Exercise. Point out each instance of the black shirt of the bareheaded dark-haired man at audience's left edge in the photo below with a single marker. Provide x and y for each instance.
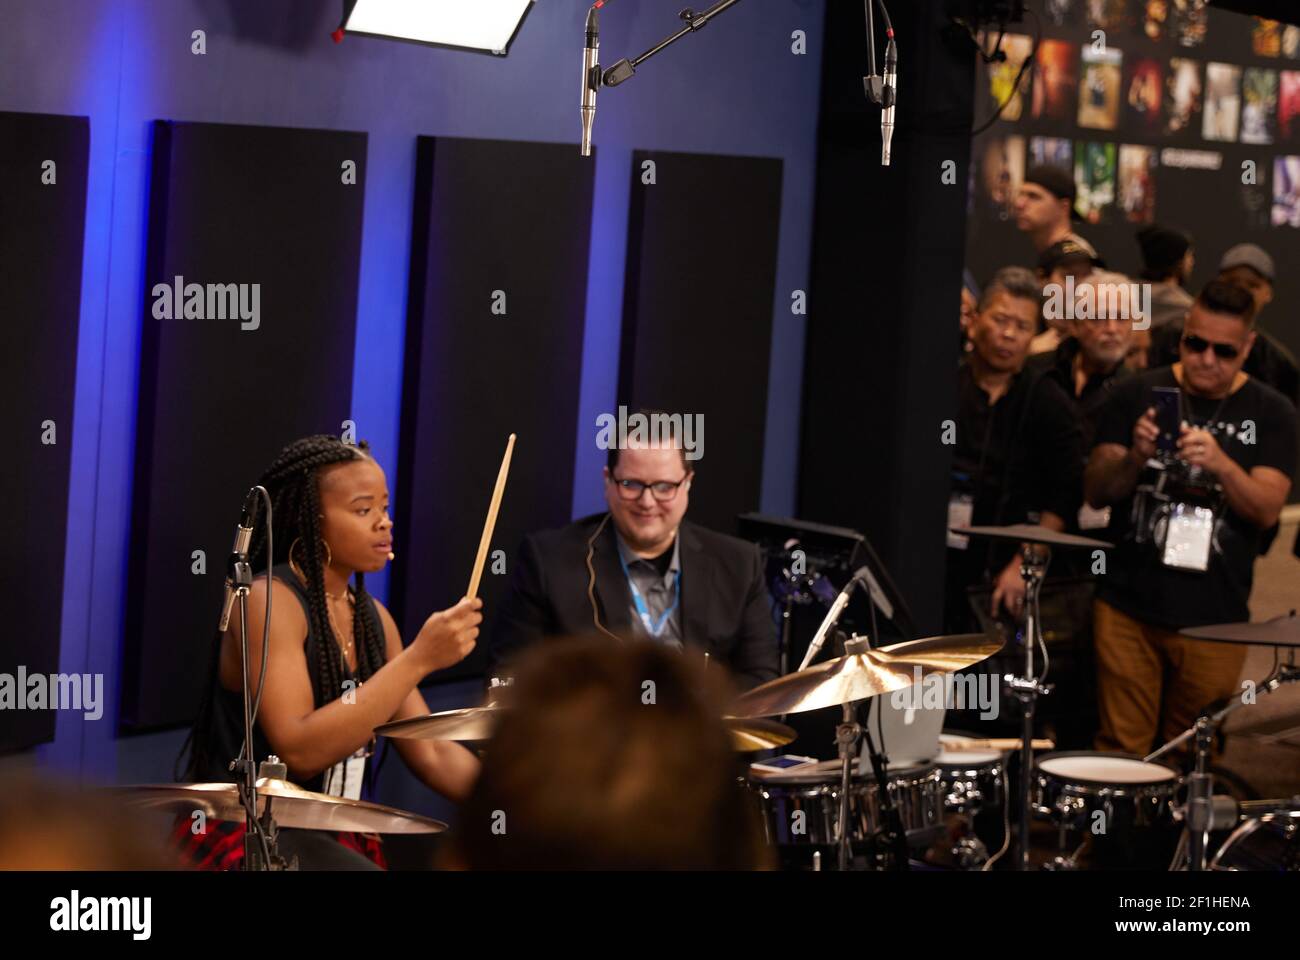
(1017, 457)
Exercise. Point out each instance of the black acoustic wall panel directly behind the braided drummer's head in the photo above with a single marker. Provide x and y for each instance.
(231, 205)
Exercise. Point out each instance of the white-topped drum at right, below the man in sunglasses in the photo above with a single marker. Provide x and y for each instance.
(1129, 792)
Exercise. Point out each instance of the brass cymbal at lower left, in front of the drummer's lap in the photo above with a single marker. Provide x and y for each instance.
(291, 806)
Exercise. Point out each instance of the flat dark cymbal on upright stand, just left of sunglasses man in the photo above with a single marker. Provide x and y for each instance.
(1035, 556)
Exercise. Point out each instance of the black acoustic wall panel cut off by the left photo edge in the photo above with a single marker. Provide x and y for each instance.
(44, 172)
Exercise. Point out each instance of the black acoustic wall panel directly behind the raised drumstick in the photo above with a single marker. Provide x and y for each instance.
(489, 217)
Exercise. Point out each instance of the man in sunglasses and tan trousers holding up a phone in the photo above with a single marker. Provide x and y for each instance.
(1186, 522)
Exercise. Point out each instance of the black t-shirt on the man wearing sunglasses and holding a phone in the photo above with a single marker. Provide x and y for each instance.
(1136, 581)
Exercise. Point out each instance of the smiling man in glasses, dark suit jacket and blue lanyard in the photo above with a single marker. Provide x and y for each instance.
(640, 572)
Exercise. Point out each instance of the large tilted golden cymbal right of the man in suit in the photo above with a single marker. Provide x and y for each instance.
(865, 673)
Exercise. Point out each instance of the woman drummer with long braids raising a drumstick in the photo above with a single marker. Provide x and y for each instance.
(336, 665)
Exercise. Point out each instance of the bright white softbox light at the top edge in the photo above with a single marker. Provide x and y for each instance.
(480, 25)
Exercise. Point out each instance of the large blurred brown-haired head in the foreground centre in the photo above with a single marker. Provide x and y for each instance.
(613, 758)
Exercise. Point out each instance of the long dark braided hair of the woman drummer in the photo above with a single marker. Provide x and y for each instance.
(293, 482)
